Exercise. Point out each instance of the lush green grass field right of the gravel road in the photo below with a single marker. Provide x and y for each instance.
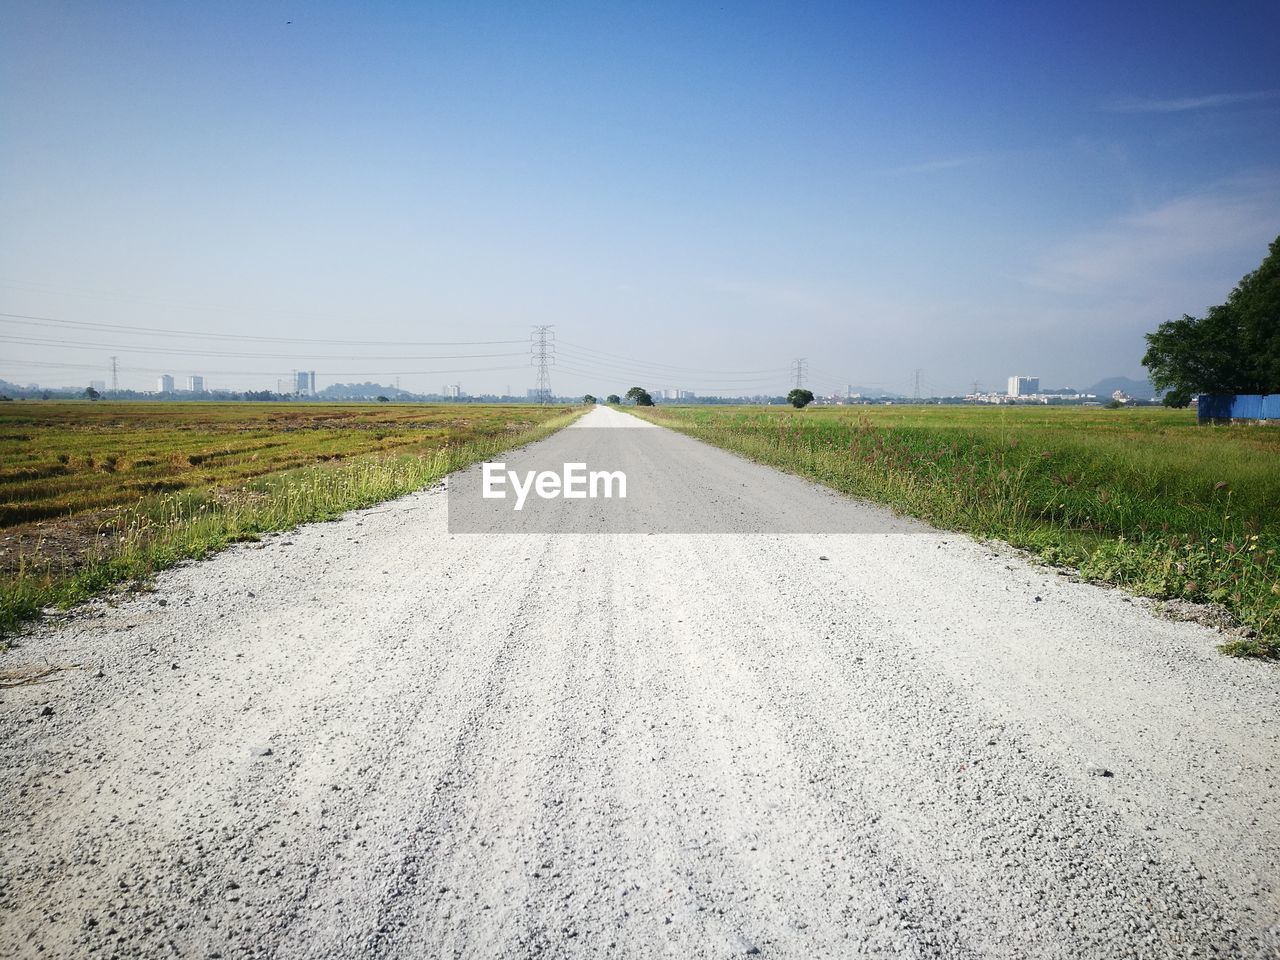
(1142, 499)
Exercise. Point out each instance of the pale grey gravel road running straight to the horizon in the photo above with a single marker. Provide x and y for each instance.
(730, 714)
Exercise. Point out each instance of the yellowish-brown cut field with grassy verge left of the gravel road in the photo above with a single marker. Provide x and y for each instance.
(97, 495)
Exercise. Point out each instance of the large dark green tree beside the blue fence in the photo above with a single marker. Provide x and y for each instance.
(1233, 349)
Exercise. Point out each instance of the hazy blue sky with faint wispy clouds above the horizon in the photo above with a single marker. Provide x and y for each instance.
(691, 194)
